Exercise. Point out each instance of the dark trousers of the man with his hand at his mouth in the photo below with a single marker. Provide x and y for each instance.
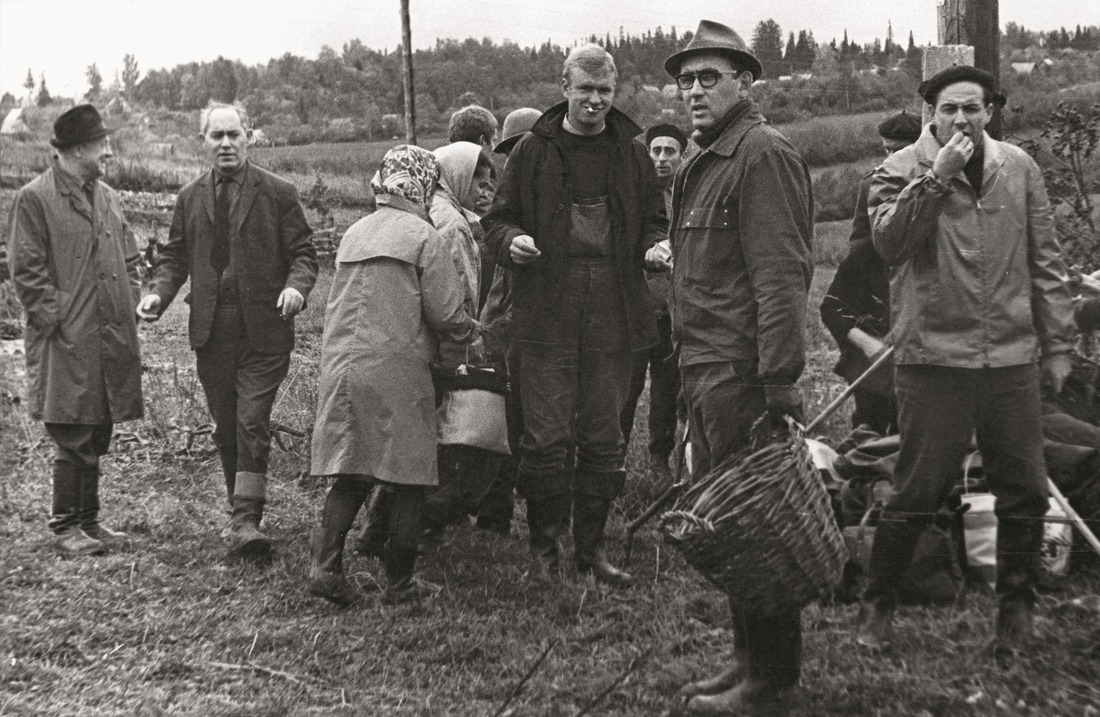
(940, 410)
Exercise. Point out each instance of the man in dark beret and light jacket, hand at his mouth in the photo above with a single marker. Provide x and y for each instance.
(983, 317)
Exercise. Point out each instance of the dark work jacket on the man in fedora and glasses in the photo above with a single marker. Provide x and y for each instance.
(743, 252)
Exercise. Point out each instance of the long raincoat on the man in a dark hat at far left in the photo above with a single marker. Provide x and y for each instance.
(78, 272)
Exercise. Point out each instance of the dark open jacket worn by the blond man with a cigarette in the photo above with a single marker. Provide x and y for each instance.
(535, 200)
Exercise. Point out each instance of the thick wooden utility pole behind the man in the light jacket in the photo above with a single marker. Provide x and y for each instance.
(975, 24)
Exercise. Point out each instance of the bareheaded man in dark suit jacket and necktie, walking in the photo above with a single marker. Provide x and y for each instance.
(241, 235)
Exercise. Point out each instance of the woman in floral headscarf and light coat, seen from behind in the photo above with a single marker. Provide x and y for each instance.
(394, 294)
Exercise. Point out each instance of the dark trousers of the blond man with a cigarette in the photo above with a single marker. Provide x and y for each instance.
(574, 385)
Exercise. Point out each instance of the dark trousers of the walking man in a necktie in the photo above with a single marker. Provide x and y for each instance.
(240, 385)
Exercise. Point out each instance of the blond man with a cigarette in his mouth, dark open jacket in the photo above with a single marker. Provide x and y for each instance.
(577, 209)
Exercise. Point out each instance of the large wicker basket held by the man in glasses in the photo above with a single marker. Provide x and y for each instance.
(761, 526)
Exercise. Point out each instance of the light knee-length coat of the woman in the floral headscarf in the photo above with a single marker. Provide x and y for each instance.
(394, 294)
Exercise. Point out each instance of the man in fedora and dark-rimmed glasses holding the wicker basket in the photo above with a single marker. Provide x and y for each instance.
(741, 231)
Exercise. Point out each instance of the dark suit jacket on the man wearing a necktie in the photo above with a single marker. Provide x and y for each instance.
(271, 249)
